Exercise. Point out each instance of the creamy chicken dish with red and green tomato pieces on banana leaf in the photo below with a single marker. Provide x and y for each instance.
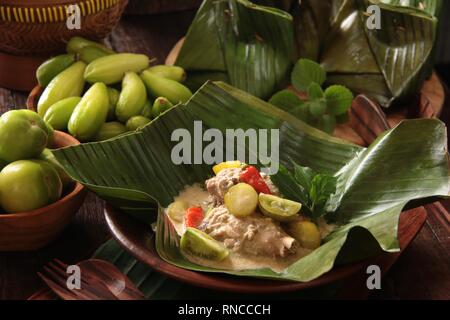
(237, 220)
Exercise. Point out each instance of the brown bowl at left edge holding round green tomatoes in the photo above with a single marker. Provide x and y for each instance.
(33, 230)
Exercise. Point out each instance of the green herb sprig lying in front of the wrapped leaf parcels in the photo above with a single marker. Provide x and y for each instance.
(320, 108)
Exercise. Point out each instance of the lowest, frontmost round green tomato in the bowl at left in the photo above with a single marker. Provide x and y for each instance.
(28, 185)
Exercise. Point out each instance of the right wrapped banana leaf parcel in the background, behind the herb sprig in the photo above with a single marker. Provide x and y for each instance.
(389, 64)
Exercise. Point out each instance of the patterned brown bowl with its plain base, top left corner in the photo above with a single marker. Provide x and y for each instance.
(33, 30)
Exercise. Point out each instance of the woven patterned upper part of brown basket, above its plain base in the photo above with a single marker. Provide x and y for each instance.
(38, 27)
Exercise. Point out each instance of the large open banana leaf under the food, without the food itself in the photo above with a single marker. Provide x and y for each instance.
(407, 163)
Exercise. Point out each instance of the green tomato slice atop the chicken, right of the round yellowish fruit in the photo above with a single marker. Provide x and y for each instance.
(278, 208)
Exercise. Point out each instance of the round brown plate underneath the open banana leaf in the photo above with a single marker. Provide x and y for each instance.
(138, 239)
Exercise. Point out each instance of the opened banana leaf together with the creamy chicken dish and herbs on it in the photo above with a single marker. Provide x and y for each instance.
(330, 202)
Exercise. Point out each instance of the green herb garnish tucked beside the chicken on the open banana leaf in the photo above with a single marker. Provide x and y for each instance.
(311, 189)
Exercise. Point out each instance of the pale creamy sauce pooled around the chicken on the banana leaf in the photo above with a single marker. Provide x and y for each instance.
(195, 195)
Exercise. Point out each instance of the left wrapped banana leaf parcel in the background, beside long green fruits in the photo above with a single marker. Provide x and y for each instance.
(248, 46)
